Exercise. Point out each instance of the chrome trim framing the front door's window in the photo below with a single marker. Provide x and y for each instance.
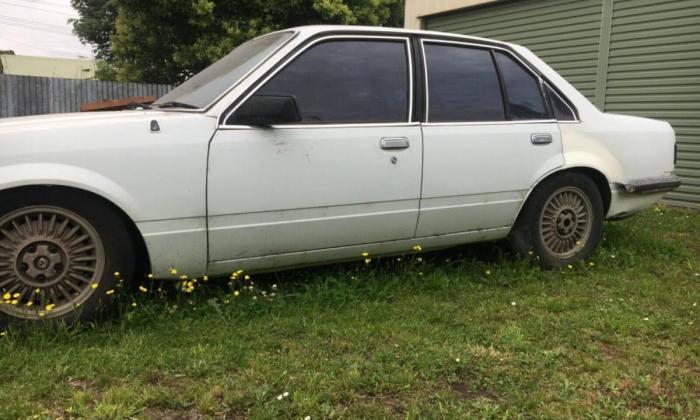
(260, 82)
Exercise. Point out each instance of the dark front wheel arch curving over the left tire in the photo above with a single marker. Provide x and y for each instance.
(143, 263)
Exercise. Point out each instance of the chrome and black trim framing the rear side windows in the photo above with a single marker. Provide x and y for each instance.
(491, 48)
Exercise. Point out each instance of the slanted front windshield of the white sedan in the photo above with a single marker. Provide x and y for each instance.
(204, 87)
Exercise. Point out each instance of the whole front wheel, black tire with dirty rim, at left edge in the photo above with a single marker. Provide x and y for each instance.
(66, 275)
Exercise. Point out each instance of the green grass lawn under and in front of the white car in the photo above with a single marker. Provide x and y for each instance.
(471, 331)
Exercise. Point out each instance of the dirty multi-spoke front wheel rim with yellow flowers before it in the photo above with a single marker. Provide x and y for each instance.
(51, 261)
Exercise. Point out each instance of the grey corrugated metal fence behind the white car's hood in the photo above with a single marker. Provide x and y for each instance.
(27, 95)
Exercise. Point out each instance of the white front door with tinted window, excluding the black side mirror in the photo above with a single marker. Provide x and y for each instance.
(348, 173)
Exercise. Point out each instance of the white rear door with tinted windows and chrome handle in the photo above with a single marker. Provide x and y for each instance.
(488, 136)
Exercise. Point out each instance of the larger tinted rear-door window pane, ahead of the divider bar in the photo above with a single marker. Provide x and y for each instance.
(462, 85)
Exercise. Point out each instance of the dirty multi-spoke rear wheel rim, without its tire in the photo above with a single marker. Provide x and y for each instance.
(565, 222)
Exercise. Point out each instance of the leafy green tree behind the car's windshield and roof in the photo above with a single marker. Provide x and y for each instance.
(167, 41)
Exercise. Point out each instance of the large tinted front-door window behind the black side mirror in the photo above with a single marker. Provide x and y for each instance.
(346, 81)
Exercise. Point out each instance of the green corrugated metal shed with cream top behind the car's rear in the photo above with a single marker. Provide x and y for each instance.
(638, 57)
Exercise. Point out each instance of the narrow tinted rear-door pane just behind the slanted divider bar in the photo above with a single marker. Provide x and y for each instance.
(523, 90)
